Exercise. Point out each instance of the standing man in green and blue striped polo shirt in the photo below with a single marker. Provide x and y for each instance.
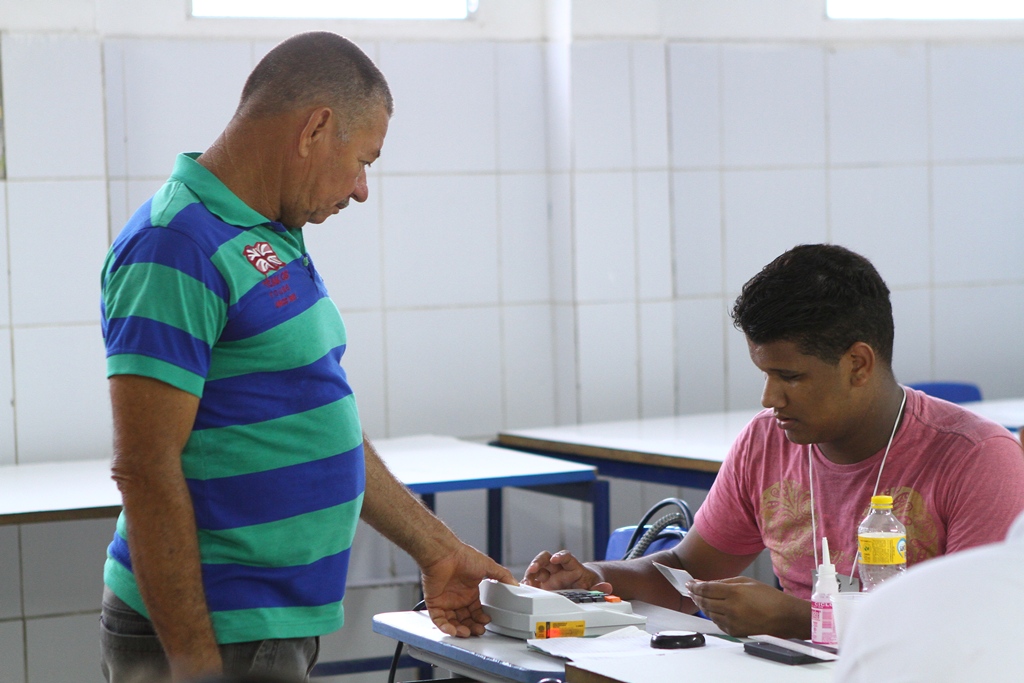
(238, 447)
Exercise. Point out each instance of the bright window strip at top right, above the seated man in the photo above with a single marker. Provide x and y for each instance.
(925, 10)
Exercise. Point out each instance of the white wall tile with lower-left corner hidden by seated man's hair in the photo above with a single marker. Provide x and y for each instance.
(882, 214)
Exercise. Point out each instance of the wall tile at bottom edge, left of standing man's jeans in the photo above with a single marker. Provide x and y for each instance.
(64, 650)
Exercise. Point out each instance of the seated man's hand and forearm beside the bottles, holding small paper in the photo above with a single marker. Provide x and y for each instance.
(742, 607)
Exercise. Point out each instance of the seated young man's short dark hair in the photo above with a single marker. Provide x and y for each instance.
(822, 297)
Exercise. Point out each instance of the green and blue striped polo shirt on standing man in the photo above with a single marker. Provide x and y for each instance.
(205, 294)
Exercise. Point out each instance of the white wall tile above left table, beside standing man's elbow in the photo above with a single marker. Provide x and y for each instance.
(64, 410)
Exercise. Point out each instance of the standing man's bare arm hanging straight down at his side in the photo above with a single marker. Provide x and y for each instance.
(152, 424)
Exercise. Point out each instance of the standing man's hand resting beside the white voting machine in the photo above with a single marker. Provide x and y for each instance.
(452, 590)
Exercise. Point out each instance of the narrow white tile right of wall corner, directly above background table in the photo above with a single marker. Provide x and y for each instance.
(609, 363)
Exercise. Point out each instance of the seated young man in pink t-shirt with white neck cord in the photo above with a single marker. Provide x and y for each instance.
(837, 429)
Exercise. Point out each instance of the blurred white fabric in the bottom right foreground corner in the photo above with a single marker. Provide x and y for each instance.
(959, 618)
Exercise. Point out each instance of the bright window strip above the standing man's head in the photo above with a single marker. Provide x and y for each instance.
(342, 10)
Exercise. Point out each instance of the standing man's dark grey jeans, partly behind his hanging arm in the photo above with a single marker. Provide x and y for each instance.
(132, 653)
